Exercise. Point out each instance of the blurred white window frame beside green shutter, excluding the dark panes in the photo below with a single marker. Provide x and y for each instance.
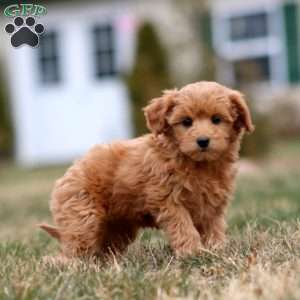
(229, 51)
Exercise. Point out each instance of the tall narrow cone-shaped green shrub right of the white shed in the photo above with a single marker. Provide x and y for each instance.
(150, 74)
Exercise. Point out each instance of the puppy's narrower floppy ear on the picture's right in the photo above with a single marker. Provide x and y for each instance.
(243, 116)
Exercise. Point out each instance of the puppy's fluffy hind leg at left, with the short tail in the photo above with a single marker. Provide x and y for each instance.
(80, 221)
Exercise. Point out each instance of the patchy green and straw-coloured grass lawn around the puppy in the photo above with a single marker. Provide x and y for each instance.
(261, 259)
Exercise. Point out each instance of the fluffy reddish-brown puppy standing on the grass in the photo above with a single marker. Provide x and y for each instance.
(179, 178)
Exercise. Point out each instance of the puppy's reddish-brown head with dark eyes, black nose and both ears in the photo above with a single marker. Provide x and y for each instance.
(202, 118)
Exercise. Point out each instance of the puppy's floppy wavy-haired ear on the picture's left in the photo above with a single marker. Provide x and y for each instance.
(157, 111)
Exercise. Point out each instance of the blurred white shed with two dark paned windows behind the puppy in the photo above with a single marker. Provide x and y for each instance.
(67, 94)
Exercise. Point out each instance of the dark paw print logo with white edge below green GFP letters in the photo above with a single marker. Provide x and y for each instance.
(24, 33)
